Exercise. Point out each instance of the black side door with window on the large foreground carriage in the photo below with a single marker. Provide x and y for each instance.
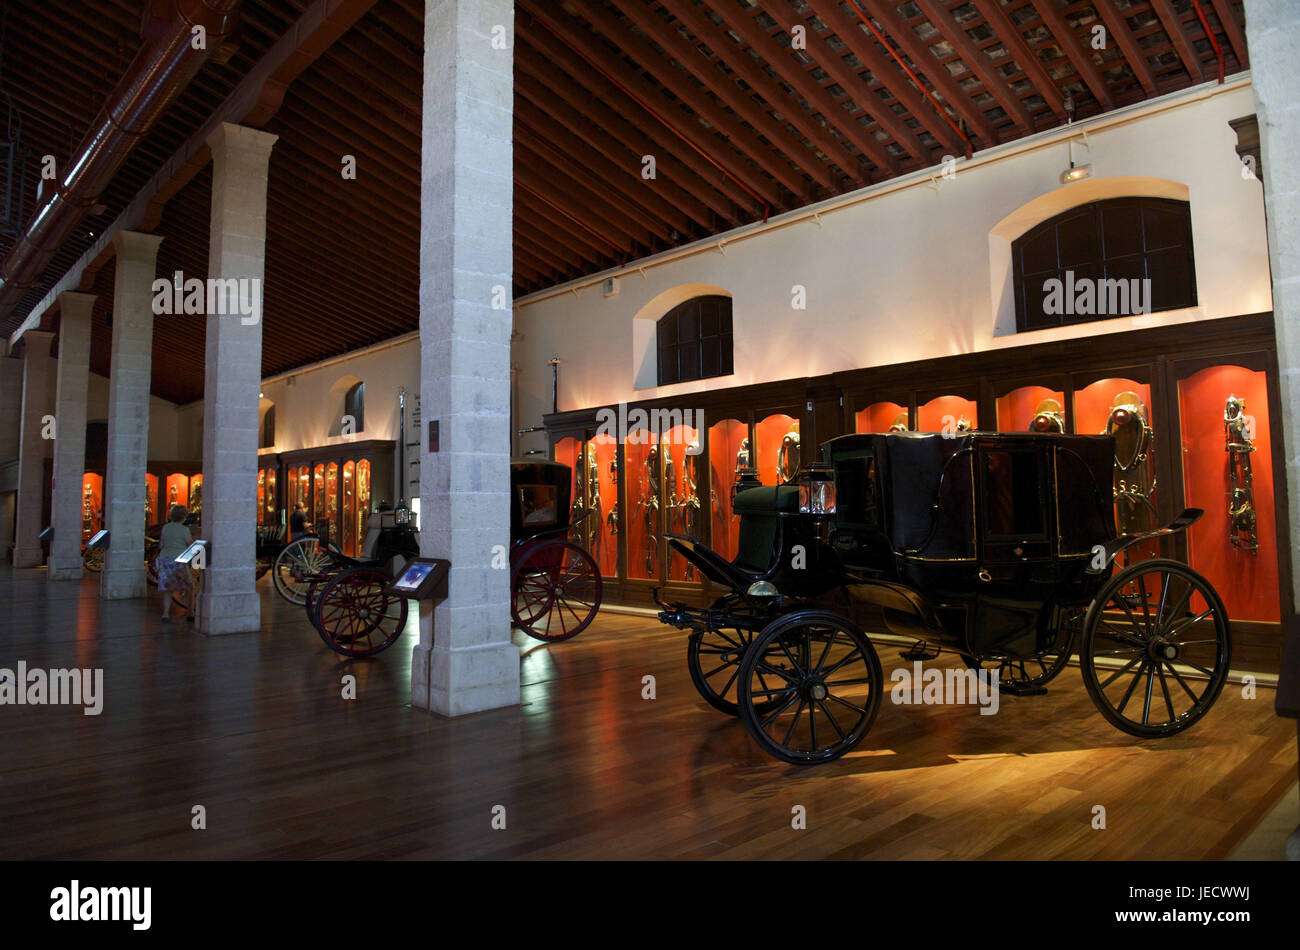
(1016, 515)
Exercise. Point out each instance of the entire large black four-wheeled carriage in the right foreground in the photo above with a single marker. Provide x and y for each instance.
(999, 548)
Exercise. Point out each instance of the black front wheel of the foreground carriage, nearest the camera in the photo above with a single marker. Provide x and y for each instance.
(811, 687)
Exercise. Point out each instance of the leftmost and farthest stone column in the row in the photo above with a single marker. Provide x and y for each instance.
(38, 374)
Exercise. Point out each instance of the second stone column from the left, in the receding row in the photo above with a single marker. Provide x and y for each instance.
(66, 505)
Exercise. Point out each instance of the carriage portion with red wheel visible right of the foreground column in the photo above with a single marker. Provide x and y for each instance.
(554, 584)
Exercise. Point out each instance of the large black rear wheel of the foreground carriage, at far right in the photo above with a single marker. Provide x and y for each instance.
(1159, 628)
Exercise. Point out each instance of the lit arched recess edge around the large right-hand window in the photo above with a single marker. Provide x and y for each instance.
(1032, 214)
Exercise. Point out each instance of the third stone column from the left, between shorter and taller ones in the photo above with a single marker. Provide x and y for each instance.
(129, 379)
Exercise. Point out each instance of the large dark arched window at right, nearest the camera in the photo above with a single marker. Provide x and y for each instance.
(1106, 259)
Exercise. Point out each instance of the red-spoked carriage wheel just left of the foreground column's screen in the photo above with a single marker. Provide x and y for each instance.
(354, 615)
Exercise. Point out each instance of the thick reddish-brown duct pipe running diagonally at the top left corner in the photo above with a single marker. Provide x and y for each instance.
(161, 71)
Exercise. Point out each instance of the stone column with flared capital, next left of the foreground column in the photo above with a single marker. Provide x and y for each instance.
(237, 253)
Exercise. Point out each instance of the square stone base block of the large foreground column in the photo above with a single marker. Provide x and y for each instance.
(456, 683)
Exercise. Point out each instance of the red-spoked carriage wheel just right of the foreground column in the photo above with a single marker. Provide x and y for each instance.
(556, 591)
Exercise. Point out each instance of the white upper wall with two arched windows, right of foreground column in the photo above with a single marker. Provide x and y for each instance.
(913, 272)
